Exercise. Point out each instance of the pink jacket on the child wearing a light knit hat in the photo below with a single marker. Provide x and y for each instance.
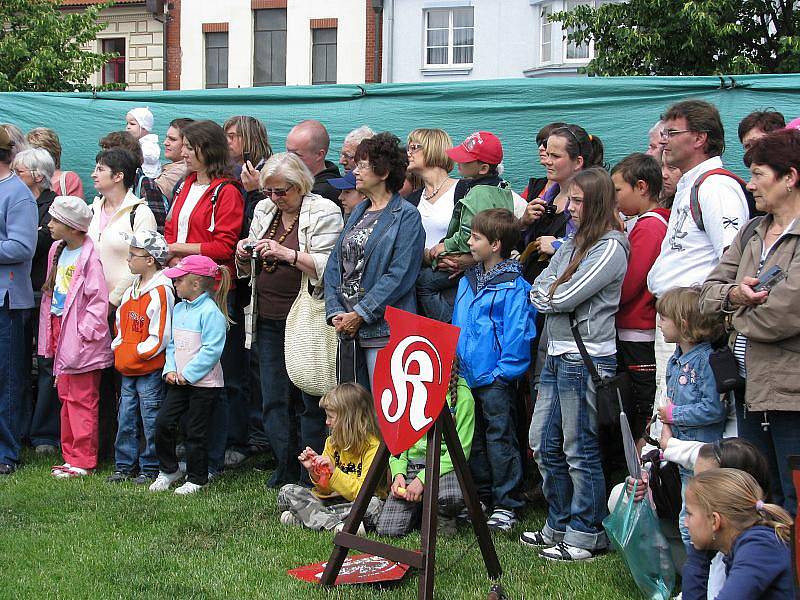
(85, 342)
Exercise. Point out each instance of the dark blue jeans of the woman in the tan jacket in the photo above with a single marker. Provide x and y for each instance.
(776, 443)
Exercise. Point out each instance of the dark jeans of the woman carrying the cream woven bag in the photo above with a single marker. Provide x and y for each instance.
(280, 411)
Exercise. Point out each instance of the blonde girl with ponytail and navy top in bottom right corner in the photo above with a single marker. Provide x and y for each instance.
(726, 512)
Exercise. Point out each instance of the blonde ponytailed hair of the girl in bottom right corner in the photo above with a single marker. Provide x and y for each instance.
(736, 495)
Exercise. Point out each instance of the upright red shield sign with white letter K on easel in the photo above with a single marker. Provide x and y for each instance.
(411, 377)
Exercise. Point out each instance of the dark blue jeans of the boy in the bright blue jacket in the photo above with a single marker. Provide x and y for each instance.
(495, 461)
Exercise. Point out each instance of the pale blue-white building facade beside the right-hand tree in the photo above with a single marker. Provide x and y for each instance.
(445, 40)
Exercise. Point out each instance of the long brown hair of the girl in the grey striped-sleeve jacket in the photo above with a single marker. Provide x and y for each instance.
(598, 217)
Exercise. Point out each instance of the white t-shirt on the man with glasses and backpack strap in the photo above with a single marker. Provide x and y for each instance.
(688, 254)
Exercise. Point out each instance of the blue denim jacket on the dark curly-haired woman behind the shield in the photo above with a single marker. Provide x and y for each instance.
(393, 255)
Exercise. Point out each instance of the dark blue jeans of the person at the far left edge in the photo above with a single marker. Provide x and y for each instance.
(13, 380)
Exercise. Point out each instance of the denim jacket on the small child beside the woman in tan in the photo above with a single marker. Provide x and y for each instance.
(698, 411)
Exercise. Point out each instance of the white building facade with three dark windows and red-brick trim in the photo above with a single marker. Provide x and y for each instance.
(246, 43)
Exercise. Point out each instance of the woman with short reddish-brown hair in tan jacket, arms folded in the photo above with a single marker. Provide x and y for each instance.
(765, 324)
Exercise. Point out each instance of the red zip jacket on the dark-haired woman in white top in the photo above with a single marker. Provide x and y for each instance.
(218, 244)
